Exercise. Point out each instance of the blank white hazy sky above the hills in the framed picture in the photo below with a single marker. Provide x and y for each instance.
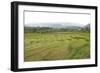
(43, 17)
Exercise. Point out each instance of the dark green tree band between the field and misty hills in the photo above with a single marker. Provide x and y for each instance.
(86, 28)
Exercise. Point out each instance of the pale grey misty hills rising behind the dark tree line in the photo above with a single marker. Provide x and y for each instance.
(55, 25)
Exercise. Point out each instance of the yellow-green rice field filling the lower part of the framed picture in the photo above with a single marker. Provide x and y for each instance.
(56, 46)
